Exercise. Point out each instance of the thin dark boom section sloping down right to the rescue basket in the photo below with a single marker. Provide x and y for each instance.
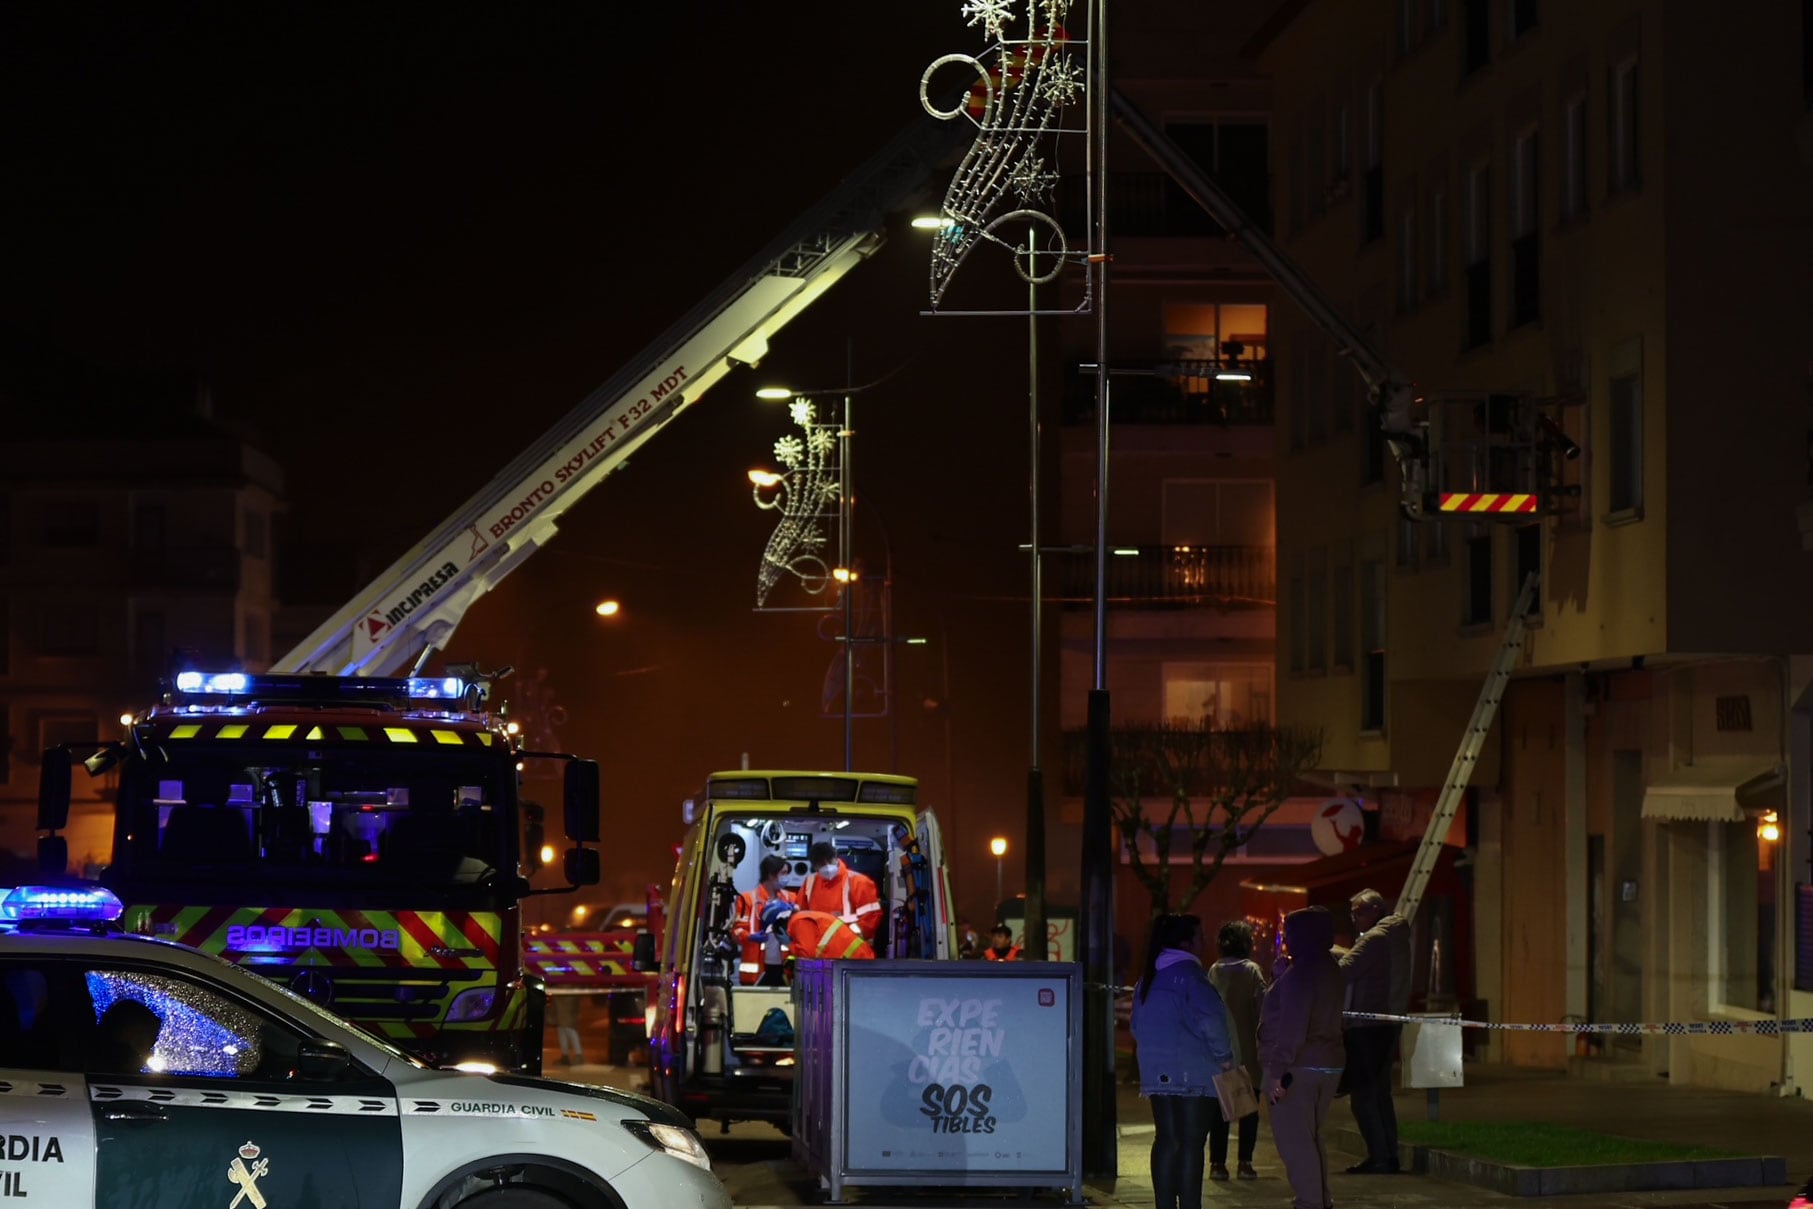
(1391, 394)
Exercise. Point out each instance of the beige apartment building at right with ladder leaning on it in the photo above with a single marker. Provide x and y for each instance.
(1605, 208)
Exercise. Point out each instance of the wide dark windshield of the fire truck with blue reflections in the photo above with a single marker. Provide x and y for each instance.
(282, 815)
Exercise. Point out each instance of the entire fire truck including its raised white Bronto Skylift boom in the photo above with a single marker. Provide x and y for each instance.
(354, 827)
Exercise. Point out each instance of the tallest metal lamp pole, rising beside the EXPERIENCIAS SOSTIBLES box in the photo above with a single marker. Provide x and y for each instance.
(1100, 1132)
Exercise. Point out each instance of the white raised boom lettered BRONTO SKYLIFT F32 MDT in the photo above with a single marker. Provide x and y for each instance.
(411, 612)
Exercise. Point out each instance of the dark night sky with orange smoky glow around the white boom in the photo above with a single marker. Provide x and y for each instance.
(398, 242)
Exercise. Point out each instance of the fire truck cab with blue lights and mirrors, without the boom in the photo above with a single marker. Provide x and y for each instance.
(358, 840)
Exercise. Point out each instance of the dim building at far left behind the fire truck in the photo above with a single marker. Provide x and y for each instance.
(115, 556)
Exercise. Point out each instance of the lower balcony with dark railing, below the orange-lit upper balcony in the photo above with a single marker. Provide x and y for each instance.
(1174, 575)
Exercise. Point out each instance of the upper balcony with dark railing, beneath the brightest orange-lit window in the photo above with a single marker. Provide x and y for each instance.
(1179, 392)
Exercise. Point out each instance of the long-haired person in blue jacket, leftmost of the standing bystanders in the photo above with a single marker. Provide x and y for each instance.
(1181, 1030)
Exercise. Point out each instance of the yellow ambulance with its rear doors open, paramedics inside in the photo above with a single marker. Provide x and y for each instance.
(724, 1049)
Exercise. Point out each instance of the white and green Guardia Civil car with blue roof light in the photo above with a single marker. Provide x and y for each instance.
(139, 1072)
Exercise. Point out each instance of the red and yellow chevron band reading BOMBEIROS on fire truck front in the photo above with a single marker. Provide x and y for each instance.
(313, 936)
